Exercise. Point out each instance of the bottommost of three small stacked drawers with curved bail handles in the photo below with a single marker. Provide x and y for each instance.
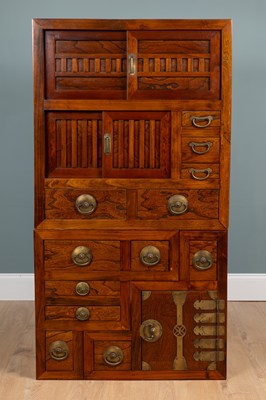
(200, 172)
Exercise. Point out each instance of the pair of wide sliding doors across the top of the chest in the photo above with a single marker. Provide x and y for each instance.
(138, 65)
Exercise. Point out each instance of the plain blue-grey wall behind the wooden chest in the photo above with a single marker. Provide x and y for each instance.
(247, 239)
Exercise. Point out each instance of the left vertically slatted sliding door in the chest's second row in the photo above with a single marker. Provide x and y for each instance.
(74, 146)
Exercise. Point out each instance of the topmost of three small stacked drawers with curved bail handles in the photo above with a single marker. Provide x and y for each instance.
(201, 119)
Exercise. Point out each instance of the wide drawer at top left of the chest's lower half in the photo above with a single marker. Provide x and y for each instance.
(81, 255)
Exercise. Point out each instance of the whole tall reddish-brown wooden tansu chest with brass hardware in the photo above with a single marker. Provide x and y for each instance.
(132, 142)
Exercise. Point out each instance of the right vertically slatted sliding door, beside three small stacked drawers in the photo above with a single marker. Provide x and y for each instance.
(140, 144)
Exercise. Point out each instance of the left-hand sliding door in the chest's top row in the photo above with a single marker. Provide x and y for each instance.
(88, 64)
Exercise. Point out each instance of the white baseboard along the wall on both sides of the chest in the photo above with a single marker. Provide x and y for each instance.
(241, 287)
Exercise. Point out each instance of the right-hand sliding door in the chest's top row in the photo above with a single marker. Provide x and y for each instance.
(177, 65)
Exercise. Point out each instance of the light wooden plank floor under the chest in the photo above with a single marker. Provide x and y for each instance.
(246, 364)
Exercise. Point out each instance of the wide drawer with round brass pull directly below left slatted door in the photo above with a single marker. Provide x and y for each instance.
(80, 204)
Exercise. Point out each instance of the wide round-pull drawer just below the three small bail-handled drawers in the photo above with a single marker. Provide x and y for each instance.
(160, 204)
